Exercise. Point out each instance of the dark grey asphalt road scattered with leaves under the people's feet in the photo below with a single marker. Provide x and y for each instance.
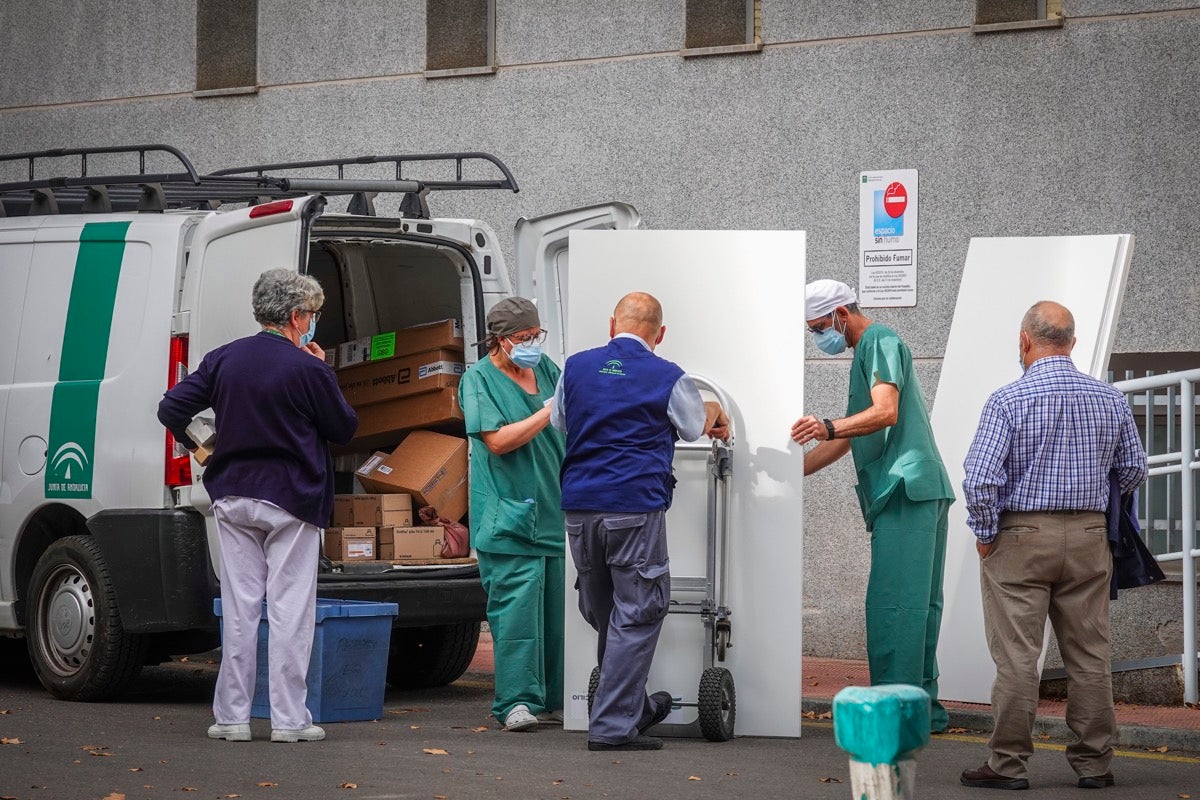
(442, 745)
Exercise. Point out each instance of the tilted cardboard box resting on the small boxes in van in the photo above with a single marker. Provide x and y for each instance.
(431, 467)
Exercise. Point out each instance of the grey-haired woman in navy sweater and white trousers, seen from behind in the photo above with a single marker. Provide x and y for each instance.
(271, 478)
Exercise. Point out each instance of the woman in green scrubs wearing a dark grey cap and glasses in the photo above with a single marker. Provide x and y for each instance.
(517, 518)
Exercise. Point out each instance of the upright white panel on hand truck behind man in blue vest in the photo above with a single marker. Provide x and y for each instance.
(734, 310)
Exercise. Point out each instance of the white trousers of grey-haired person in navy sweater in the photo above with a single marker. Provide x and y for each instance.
(266, 555)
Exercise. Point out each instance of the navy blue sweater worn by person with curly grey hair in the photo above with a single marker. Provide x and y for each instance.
(278, 408)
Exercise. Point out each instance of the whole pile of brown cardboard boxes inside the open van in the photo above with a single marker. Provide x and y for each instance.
(401, 384)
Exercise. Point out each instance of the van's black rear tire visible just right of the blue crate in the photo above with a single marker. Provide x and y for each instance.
(421, 658)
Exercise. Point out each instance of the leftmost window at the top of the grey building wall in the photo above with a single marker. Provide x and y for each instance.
(226, 47)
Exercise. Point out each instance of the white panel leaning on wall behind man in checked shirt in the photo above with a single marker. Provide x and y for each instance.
(1001, 280)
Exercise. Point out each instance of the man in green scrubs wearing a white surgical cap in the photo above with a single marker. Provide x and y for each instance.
(903, 488)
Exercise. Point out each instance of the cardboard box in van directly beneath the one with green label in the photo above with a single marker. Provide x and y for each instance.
(410, 375)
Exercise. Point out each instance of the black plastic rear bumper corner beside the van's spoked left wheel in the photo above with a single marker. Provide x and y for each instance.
(159, 562)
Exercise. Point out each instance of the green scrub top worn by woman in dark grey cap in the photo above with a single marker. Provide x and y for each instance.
(515, 498)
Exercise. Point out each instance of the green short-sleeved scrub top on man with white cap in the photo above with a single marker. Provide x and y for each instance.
(904, 454)
